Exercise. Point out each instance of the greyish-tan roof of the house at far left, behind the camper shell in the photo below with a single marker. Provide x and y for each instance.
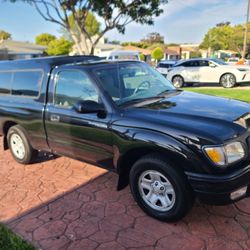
(15, 47)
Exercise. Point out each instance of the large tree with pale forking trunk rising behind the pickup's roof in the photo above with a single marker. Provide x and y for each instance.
(115, 14)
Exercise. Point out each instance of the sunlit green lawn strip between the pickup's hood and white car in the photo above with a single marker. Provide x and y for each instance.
(240, 94)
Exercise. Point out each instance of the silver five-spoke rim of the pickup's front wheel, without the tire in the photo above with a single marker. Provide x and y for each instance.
(156, 190)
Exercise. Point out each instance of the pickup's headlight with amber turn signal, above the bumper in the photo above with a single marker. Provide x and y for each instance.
(227, 154)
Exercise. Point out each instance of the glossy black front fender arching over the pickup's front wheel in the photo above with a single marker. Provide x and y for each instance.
(133, 143)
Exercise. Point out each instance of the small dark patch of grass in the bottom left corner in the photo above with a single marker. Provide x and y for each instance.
(10, 241)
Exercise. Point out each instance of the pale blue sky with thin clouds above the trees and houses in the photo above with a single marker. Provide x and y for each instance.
(183, 21)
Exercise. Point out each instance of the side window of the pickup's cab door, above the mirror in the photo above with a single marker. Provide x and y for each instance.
(73, 86)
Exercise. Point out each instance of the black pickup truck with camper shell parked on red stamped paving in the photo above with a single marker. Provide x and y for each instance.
(169, 145)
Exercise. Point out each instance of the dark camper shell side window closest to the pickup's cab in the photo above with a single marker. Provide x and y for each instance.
(26, 83)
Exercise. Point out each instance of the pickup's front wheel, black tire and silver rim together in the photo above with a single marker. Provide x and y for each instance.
(171, 196)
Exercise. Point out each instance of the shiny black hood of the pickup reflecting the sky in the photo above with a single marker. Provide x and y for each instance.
(182, 113)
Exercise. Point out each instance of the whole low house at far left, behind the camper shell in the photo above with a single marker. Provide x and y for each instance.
(12, 50)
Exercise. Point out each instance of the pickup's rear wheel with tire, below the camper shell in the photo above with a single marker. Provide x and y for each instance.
(19, 145)
